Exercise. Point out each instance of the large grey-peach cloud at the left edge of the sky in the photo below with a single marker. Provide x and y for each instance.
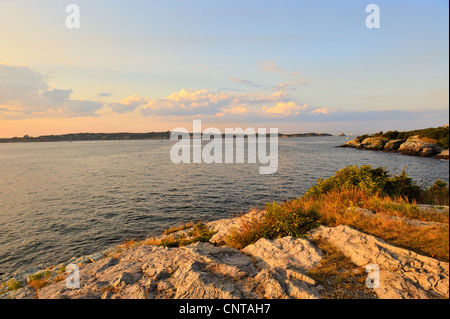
(25, 93)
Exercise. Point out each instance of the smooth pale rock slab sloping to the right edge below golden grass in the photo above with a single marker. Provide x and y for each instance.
(403, 273)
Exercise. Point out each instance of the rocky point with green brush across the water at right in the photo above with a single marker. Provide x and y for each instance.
(414, 145)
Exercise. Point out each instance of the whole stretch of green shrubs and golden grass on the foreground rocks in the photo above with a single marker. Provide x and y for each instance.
(327, 203)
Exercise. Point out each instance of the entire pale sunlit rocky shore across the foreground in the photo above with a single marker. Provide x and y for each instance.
(278, 268)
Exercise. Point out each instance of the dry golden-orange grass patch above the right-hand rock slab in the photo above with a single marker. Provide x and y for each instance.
(431, 241)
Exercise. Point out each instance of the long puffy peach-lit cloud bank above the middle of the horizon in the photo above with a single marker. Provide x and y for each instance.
(253, 106)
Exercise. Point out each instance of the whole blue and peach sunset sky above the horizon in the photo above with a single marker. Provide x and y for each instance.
(143, 66)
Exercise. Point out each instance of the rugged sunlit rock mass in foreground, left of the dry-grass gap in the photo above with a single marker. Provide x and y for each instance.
(197, 271)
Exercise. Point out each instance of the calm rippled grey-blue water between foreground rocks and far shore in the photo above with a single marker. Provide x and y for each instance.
(63, 200)
